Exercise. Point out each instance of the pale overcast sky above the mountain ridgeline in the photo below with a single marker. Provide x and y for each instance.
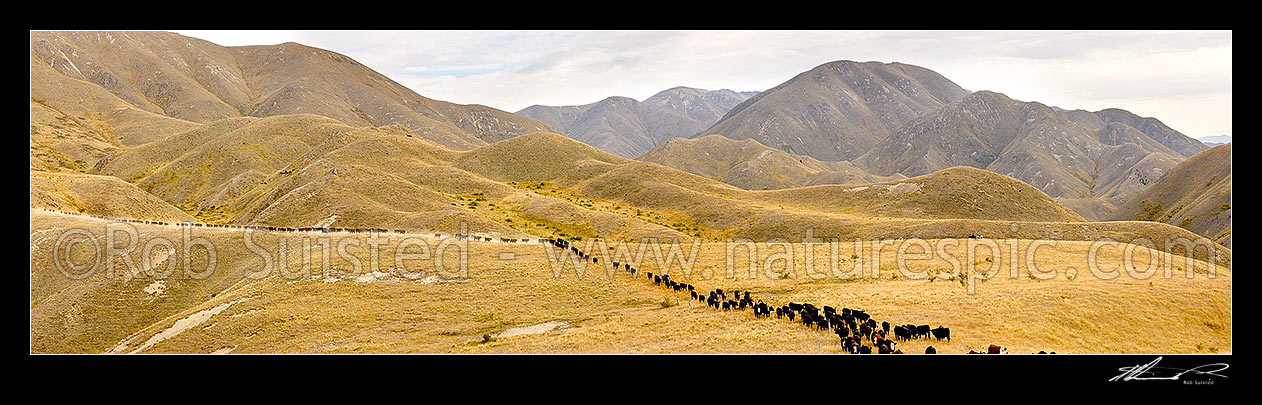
(1184, 79)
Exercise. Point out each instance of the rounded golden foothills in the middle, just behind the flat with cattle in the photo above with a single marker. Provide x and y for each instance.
(372, 177)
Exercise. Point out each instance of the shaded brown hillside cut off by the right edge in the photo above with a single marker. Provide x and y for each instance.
(1196, 195)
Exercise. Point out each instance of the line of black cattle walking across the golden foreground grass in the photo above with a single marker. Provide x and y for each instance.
(852, 327)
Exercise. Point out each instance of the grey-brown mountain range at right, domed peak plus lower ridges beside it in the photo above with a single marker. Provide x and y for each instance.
(890, 119)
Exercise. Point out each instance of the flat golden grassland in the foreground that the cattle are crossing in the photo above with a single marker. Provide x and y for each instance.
(334, 307)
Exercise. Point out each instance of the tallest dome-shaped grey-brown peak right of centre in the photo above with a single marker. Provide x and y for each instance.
(840, 110)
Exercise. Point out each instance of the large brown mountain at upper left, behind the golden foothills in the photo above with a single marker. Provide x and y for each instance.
(199, 81)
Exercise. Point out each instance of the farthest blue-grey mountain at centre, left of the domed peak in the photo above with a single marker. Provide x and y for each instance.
(629, 128)
